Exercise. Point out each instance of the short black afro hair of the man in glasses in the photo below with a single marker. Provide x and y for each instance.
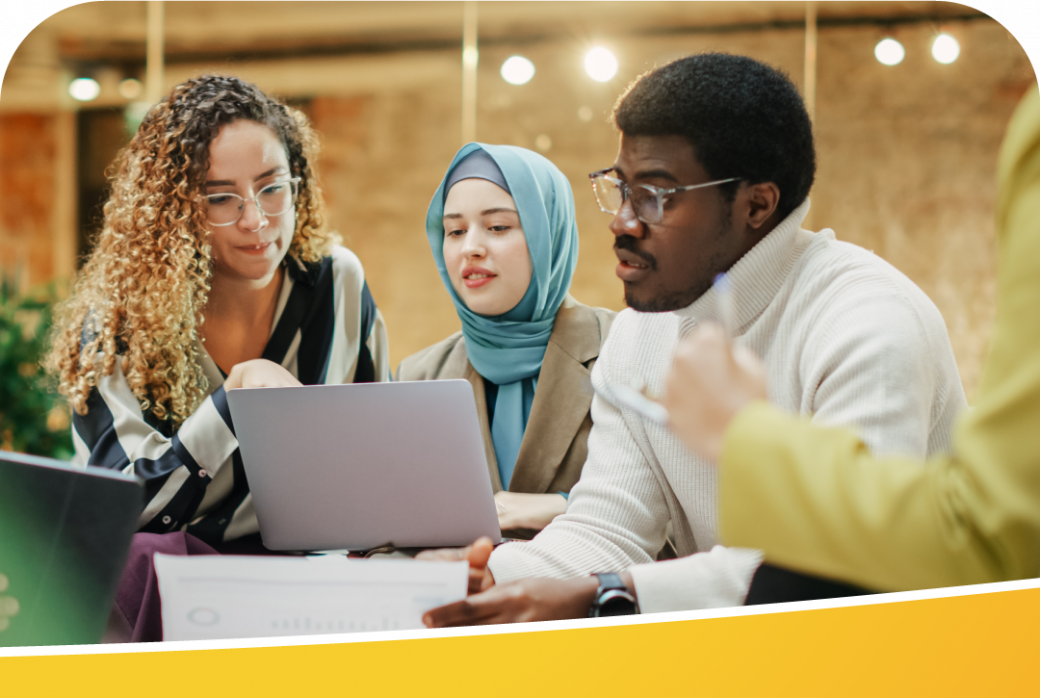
(744, 119)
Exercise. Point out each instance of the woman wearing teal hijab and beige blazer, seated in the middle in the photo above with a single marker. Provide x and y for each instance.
(503, 231)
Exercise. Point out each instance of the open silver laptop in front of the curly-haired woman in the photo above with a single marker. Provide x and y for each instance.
(365, 466)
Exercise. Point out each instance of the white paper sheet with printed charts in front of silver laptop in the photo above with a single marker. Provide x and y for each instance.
(219, 598)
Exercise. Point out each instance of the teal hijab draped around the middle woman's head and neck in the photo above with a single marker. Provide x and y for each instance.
(508, 350)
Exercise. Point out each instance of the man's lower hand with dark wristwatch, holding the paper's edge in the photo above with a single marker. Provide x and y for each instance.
(519, 602)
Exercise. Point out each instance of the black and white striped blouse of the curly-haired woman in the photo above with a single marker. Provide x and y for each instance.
(327, 330)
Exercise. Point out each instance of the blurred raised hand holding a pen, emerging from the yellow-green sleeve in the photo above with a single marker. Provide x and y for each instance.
(711, 382)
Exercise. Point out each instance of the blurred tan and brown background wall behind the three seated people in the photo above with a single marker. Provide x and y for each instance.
(907, 153)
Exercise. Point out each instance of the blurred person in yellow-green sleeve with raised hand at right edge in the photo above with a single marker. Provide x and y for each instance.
(818, 503)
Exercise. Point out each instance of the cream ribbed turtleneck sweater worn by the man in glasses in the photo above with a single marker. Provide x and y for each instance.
(846, 339)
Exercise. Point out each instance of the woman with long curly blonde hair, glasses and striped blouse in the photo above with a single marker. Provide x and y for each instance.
(214, 271)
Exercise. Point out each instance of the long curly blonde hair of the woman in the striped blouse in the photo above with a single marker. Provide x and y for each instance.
(142, 295)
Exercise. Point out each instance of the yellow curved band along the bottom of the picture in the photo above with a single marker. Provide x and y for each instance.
(968, 641)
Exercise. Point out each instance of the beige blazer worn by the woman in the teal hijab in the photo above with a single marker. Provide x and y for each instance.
(555, 445)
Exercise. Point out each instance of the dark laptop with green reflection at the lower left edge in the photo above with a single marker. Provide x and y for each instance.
(65, 533)
